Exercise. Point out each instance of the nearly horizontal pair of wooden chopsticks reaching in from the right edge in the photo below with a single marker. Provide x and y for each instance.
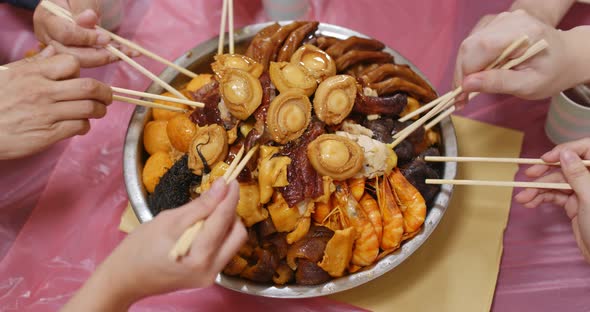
(520, 161)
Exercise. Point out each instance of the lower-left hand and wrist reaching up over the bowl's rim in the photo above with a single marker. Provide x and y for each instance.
(140, 266)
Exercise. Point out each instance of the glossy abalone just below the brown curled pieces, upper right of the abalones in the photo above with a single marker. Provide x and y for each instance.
(319, 63)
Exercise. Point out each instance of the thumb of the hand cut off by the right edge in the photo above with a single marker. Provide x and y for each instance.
(576, 174)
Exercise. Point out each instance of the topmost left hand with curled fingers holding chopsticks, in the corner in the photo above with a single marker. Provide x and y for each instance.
(80, 39)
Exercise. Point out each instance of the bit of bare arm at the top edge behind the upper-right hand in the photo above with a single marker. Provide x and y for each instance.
(549, 11)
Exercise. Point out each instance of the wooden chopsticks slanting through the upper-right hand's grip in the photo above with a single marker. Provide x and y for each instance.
(444, 105)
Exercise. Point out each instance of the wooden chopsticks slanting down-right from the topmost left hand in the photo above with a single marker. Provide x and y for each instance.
(61, 12)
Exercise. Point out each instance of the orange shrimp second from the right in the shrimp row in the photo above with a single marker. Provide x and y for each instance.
(393, 221)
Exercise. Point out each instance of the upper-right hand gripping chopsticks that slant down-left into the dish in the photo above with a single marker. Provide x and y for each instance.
(546, 74)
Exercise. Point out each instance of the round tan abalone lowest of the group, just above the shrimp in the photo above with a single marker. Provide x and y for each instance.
(335, 156)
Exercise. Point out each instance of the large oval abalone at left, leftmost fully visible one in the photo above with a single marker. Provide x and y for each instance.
(241, 92)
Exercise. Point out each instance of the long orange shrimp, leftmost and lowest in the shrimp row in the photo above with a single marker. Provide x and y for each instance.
(366, 245)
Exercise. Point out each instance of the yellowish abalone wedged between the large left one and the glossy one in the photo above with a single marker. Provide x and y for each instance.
(286, 76)
